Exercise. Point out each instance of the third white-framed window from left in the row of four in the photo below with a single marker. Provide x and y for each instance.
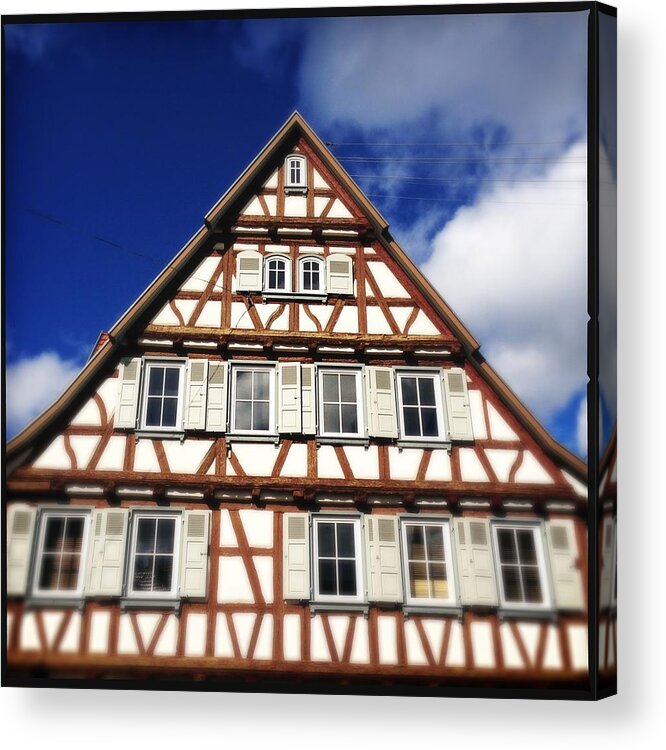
(341, 402)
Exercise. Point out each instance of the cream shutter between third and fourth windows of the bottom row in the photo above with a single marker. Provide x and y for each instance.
(383, 559)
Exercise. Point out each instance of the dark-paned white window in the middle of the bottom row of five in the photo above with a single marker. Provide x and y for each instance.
(337, 556)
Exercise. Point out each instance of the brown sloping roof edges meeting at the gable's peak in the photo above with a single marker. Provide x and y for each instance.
(238, 199)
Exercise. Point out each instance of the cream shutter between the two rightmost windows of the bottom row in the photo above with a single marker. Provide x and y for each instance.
(475, 562)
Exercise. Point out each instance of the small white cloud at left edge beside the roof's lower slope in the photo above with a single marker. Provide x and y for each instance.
(32, 384)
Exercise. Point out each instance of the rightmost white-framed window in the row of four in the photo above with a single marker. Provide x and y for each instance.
(420, 399)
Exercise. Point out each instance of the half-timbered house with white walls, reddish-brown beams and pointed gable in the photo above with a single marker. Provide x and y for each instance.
(289, 461)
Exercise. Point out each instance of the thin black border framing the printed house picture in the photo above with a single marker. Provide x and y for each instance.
(591, 691)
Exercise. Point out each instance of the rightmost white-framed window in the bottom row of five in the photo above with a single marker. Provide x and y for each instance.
(521, 565)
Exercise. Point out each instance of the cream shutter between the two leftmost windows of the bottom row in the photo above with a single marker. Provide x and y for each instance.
(106, 561)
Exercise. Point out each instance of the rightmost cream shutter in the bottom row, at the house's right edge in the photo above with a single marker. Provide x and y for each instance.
(566, 576)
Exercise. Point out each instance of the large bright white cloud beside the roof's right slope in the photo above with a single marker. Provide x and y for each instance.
(514, 267)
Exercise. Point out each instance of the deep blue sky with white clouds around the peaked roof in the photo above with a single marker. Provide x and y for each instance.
(468, 132)
